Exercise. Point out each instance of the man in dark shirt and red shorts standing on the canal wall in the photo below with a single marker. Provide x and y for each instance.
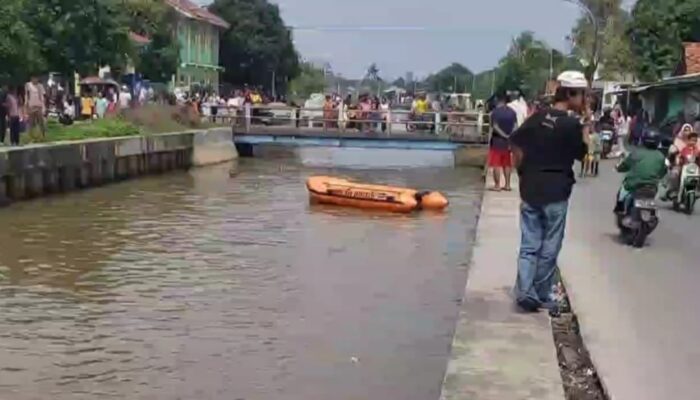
(503, 122)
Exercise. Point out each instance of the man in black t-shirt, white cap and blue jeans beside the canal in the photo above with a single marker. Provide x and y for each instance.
(545, 148)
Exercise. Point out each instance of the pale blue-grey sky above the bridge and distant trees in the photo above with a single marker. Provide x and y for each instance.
(421, 36)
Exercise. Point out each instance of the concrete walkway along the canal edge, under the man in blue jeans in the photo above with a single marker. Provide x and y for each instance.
(498, 353)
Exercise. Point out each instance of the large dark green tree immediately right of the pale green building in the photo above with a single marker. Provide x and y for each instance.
(257, 46)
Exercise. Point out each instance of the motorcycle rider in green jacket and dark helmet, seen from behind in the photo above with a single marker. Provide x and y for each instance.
(644, 167)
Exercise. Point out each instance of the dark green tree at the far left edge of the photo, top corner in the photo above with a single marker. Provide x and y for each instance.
(19, 50)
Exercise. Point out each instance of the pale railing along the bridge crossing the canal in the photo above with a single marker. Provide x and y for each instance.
(391, 122)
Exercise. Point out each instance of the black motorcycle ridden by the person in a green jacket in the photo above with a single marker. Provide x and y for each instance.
(638, 218)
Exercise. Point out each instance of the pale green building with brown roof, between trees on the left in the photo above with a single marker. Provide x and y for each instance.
(197, 31)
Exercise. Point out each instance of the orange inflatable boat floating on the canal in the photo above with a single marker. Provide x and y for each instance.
(342, 192)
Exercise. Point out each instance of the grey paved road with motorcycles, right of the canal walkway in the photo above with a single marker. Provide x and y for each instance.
(638, 308)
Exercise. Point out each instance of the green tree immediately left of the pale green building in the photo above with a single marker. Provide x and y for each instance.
(153, 19)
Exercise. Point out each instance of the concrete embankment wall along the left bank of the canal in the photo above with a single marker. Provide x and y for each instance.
(37, 170)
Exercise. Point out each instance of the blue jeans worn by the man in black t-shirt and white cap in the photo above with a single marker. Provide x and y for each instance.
(542, 230)
